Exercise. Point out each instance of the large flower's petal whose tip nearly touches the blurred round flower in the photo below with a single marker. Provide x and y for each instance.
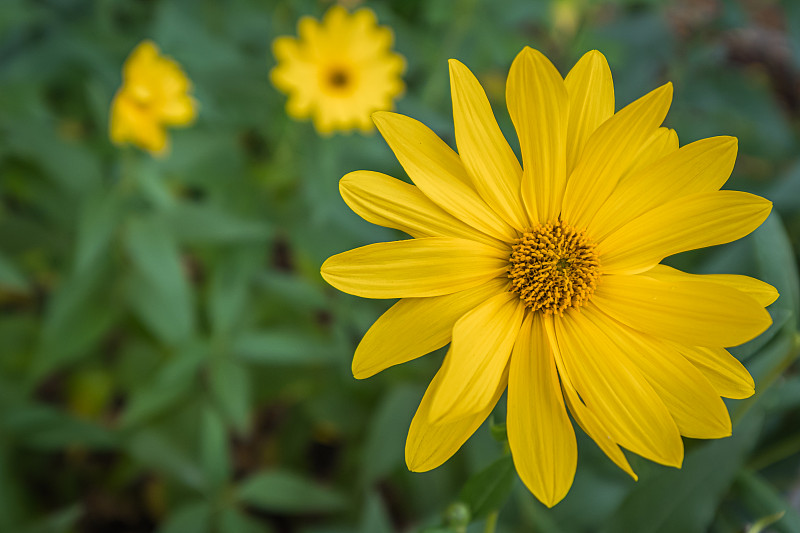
(438, 172)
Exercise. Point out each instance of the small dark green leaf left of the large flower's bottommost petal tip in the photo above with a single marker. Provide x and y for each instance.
(487, 490)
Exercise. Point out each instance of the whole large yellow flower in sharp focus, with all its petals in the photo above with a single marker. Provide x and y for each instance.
(545, 278)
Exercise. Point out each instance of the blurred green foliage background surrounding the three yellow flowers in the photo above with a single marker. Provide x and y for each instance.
(170, 359)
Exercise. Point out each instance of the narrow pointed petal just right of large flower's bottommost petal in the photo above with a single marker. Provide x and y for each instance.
(586, 419)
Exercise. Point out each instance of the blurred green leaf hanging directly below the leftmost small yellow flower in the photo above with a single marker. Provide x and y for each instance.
(159, 291)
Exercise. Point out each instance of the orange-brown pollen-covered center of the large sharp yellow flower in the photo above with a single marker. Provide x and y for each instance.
(553, 268)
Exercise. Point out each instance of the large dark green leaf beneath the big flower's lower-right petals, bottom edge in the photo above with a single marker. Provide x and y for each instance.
(686, 500)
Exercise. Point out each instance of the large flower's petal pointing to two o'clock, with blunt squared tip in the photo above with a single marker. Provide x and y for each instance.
(701, 166)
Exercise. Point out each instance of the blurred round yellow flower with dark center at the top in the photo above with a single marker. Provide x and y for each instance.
(338, 72)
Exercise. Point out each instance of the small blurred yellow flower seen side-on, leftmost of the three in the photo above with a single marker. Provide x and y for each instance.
(154, 94)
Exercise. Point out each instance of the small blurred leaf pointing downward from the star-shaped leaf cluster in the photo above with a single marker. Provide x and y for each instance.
(231, 388)
